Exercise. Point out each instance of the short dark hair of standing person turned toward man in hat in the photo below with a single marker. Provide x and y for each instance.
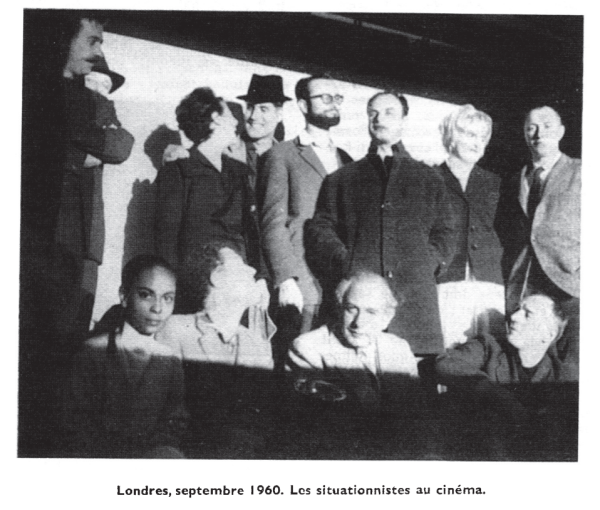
(194, 113)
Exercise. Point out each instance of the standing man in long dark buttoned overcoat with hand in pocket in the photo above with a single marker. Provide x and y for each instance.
(389, 214)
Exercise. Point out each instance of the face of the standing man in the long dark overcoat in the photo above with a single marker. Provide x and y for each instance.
(386, 119)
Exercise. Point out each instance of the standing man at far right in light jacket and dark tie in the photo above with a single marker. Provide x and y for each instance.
(545, 253)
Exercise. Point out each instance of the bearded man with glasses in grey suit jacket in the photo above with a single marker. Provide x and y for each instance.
(288, 186)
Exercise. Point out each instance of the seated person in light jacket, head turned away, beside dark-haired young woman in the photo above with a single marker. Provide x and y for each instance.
(227, 366)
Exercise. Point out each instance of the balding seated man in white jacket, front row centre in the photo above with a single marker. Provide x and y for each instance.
(374, 369)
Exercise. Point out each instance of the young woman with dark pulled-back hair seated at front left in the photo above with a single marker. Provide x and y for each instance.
(125, 398)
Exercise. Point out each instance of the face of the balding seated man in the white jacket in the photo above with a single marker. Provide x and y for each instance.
(366, 312)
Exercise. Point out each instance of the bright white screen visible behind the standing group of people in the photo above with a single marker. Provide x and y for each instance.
(158, 76)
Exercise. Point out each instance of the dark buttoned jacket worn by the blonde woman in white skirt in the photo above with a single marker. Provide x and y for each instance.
(478, 239)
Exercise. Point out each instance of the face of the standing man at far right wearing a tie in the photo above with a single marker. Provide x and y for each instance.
(543, 132)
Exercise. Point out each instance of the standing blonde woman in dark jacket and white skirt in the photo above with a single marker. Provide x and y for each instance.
(471, 291)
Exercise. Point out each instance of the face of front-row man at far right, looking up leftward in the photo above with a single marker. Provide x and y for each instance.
(534, 323)
